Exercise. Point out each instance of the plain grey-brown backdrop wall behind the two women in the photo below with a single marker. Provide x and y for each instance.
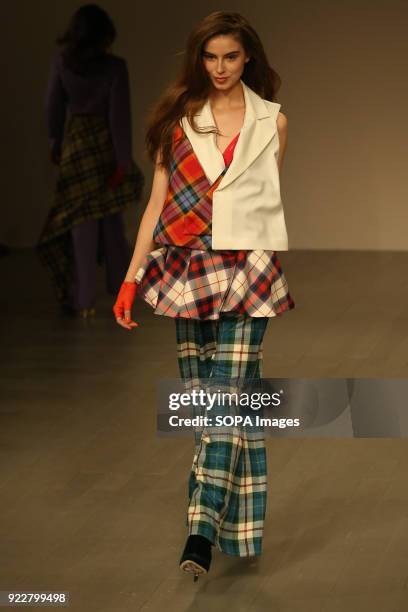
(343, 65)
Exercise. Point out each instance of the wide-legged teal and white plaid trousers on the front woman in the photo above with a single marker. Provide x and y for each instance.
(227, 487)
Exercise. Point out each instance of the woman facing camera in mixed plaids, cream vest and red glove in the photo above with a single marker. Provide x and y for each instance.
(206, 255)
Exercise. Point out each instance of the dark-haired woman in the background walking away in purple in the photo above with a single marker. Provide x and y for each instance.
(96, 175)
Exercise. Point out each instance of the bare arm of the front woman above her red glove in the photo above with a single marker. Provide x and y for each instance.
(144, 241)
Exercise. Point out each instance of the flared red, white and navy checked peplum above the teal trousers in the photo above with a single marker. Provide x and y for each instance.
(200, 284)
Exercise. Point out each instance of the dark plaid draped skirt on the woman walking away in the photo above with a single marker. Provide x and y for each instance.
(87, 162)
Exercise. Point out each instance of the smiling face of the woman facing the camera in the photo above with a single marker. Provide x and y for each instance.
(224, 59)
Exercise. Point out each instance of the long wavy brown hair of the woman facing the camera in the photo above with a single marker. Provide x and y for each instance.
(187, 94)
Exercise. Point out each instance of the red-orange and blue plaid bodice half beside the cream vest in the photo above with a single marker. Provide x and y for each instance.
(186, 218)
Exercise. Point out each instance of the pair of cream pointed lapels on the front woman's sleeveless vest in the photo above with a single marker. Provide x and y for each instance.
(258, 129)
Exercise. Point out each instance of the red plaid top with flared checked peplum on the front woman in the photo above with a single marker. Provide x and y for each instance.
(185, 277)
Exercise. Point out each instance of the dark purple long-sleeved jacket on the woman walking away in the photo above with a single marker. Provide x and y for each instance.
(106, 94)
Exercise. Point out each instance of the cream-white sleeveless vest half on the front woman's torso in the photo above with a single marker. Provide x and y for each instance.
(247, 209)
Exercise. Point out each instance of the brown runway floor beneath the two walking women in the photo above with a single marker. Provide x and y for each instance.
(93, 502)
